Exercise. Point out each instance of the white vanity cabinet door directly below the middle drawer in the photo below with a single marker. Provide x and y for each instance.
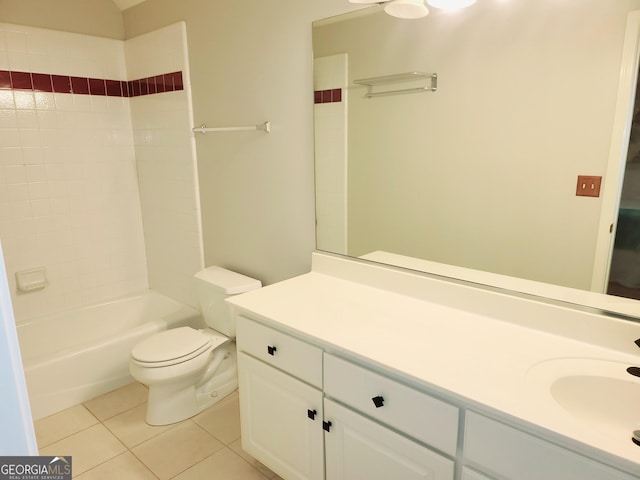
(358, 448)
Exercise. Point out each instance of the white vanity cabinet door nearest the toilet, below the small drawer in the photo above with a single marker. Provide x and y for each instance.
(278, 423)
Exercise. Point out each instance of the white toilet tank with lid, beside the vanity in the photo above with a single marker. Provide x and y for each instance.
(213, 285)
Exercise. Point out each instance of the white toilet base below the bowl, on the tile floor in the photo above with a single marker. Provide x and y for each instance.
(173, 402)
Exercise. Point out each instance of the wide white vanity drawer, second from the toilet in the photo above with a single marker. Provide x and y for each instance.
(418, 415)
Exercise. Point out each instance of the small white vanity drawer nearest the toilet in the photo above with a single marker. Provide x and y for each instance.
(279, 350)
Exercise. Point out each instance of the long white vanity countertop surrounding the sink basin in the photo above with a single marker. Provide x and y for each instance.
(478, 360)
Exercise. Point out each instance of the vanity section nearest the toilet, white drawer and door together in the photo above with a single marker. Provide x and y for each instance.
(280, 380)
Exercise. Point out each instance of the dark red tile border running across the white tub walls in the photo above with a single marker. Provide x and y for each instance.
(43, 82)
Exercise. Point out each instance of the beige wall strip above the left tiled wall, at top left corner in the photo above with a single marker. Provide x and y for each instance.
(92, 17)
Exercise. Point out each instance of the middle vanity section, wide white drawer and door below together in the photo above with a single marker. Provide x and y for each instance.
(363, 447)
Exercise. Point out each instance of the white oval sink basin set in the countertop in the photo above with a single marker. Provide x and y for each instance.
(600, 394)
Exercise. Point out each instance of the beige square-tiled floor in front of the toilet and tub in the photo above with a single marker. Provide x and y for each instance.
(109, 439)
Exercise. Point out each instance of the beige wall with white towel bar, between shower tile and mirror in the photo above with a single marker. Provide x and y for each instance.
(251, 61)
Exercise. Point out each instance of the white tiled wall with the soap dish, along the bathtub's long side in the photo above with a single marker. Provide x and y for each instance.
(69, 186)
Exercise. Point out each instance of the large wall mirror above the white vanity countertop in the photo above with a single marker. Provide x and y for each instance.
(482, 172)
